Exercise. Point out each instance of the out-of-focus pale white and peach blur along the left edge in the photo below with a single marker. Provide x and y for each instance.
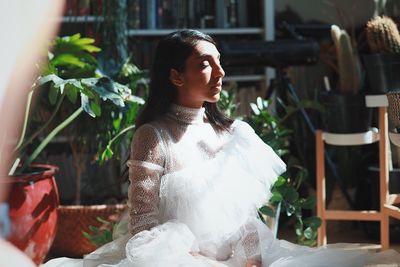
(27, 27)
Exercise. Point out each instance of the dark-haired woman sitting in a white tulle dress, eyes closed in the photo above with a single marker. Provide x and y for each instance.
(198, 177)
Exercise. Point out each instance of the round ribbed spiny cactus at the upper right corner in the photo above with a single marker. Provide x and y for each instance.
(383, 35)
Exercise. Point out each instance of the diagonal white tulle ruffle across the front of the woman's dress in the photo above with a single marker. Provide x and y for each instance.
(217, 197)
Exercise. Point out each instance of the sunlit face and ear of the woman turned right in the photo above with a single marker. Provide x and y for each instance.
(202, 79)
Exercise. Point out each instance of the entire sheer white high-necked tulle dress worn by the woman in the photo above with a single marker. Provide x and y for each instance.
(193, 201)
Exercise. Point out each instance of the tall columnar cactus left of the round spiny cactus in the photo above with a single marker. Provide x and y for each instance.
(348, 62)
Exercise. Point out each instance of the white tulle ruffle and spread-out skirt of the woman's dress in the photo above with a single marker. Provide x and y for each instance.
(208, 216)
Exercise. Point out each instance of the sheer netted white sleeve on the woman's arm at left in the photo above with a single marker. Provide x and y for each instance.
(146, 166)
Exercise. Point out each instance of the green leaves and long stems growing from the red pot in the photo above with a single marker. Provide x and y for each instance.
(71, 73)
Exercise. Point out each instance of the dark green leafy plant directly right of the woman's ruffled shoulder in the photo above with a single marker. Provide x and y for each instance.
(285, 192)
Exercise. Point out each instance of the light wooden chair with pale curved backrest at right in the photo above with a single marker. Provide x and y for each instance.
(386, 206)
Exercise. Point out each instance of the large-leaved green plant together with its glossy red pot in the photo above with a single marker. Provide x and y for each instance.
(67, 78)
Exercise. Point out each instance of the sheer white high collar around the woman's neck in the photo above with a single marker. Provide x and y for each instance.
(186, 114)
